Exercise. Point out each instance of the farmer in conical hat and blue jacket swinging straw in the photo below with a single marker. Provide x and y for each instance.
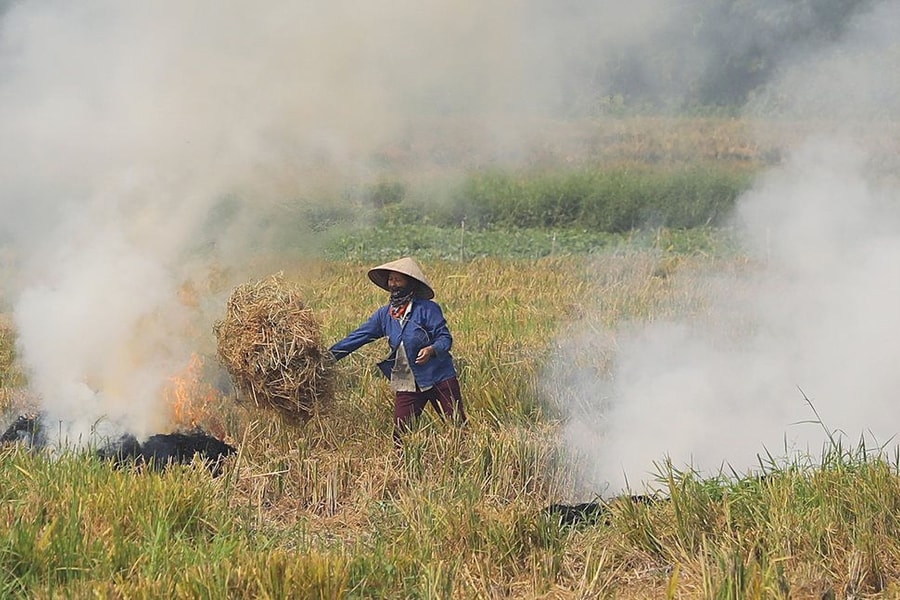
(419, 367)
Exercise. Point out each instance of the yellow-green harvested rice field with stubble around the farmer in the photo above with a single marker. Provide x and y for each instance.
(327, 508)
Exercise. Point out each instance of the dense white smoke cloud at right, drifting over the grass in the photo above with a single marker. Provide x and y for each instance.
(808, 330)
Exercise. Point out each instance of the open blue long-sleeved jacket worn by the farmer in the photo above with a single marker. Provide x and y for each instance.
(425, 326)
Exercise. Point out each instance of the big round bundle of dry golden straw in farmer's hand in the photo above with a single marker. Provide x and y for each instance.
(270, 343)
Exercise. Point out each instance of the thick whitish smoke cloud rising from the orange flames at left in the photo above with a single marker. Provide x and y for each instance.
(148, 143)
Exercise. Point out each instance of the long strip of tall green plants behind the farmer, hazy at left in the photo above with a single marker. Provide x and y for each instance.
(607, 199)
